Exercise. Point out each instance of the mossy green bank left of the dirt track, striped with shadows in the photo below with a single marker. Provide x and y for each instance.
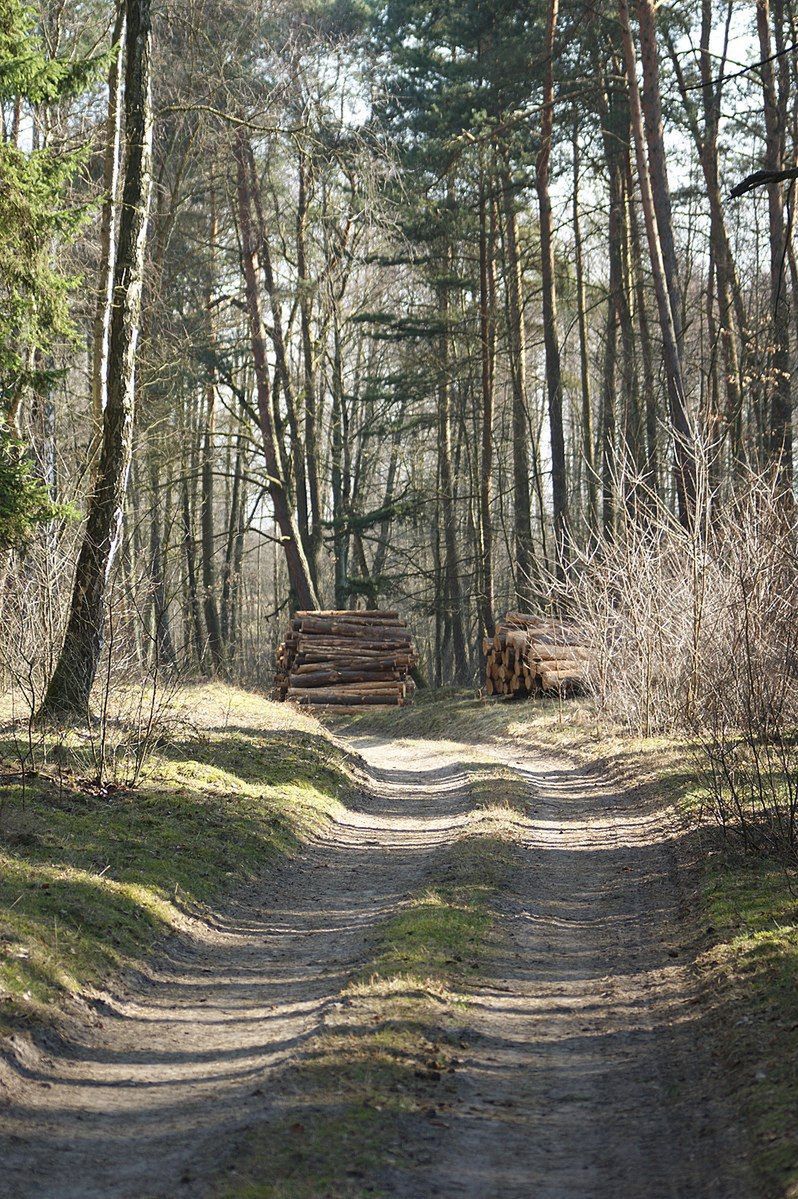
(90, 879)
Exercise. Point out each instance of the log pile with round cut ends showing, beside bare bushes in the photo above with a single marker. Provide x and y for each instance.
(530, 655)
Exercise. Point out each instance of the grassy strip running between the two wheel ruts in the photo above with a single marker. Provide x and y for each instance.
(358, 1112)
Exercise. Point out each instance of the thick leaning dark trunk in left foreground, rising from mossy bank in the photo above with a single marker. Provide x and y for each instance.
(70, 689)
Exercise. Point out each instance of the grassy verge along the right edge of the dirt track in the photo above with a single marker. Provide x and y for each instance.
(747, 913)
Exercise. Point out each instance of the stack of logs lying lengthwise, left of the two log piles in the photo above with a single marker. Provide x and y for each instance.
(347, 659)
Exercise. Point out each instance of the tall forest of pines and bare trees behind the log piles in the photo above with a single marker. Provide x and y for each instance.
(374, 304)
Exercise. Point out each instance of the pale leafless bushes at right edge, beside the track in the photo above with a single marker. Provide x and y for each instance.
(697, 631)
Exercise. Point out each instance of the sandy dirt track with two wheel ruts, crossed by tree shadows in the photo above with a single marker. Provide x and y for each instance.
(587, 1075)
